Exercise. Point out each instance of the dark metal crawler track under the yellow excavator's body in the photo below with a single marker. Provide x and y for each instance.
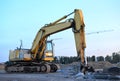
(29, 68)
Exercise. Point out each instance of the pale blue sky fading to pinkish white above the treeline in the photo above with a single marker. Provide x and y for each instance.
(21, 20)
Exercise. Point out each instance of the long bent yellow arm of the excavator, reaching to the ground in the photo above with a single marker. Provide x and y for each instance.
(77, 25)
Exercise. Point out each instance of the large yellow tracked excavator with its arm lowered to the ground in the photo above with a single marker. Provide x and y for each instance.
(40, 57)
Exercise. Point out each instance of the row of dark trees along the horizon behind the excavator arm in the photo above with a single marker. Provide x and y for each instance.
(66, 60)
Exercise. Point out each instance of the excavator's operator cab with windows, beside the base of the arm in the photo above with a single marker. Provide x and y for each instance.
(49, 54)
